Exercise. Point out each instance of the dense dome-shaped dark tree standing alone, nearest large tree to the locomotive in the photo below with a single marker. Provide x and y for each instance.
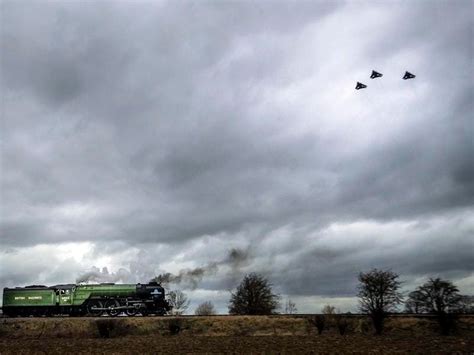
(254, 295)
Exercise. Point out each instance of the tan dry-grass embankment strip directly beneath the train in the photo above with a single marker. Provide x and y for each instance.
(107, 327)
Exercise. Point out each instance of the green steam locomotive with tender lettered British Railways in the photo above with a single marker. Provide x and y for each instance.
(86, 300)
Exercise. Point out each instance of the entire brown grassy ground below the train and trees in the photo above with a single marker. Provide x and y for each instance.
(224, 334)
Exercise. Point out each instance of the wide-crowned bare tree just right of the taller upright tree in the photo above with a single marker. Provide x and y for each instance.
(438, 297)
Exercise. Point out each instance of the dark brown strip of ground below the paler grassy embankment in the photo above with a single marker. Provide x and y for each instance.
(180, 344)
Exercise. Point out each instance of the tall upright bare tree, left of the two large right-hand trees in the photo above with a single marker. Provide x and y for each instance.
(379, 295)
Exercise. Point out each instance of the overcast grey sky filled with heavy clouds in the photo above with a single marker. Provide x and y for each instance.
(211, 139)
